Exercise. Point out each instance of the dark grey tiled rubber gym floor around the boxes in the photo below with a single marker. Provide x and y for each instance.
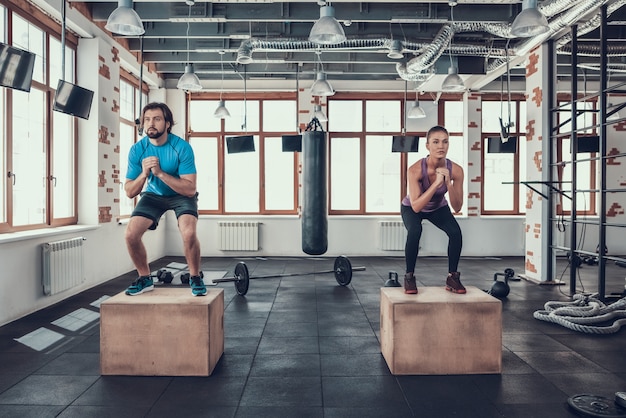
(303, 346)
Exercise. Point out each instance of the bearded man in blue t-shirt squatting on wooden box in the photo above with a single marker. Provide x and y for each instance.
(164, 163)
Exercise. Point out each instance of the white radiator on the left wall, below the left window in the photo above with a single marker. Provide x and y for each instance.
(63, 265)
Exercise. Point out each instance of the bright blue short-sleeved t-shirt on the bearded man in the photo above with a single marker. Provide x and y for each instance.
(175, 157)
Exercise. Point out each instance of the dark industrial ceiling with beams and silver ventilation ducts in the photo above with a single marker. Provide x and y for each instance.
(268, 39)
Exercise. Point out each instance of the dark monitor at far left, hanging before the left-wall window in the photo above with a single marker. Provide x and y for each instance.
(16, 67)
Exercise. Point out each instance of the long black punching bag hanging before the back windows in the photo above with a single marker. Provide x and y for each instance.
(314, 195)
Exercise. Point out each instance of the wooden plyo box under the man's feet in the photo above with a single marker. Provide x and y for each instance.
(166, 332)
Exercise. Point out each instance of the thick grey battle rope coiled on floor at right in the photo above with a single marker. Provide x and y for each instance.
(584, 314)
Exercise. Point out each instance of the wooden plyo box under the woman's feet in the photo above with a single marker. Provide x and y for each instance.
(438, 332)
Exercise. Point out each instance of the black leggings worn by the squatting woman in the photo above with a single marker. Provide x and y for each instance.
(443, 219)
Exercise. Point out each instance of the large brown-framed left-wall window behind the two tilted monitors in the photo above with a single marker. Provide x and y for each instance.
(39, 145)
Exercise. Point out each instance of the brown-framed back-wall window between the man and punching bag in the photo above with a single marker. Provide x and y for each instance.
(264, 181)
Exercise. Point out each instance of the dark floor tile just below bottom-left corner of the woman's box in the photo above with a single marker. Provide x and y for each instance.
(362, 392)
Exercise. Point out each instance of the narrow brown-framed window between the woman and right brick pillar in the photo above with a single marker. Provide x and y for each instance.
(502, 193)
